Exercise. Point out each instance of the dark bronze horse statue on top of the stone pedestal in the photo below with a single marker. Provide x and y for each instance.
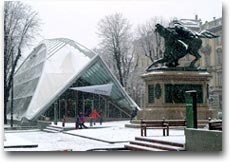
(179, 42)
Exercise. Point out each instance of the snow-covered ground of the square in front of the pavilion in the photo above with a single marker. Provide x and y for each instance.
(107, 135)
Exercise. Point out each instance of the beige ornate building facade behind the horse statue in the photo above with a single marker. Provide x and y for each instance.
(211, 56)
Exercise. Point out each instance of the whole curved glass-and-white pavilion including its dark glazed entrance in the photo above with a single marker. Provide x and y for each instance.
(47, 76)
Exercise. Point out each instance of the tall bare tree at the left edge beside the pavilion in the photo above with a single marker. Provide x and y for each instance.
(21, 24)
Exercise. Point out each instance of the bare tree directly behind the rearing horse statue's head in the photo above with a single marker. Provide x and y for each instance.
(150, 41)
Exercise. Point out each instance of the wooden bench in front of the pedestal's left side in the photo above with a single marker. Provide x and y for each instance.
(146, 124)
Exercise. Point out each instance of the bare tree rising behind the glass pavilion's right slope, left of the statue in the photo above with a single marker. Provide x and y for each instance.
(114, 31)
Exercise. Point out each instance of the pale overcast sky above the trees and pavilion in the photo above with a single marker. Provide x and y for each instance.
(78, 20)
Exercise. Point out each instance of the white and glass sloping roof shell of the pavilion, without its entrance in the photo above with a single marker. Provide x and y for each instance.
(51, 68)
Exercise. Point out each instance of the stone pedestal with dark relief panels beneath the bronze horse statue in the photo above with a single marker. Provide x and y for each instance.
(165, 93)
